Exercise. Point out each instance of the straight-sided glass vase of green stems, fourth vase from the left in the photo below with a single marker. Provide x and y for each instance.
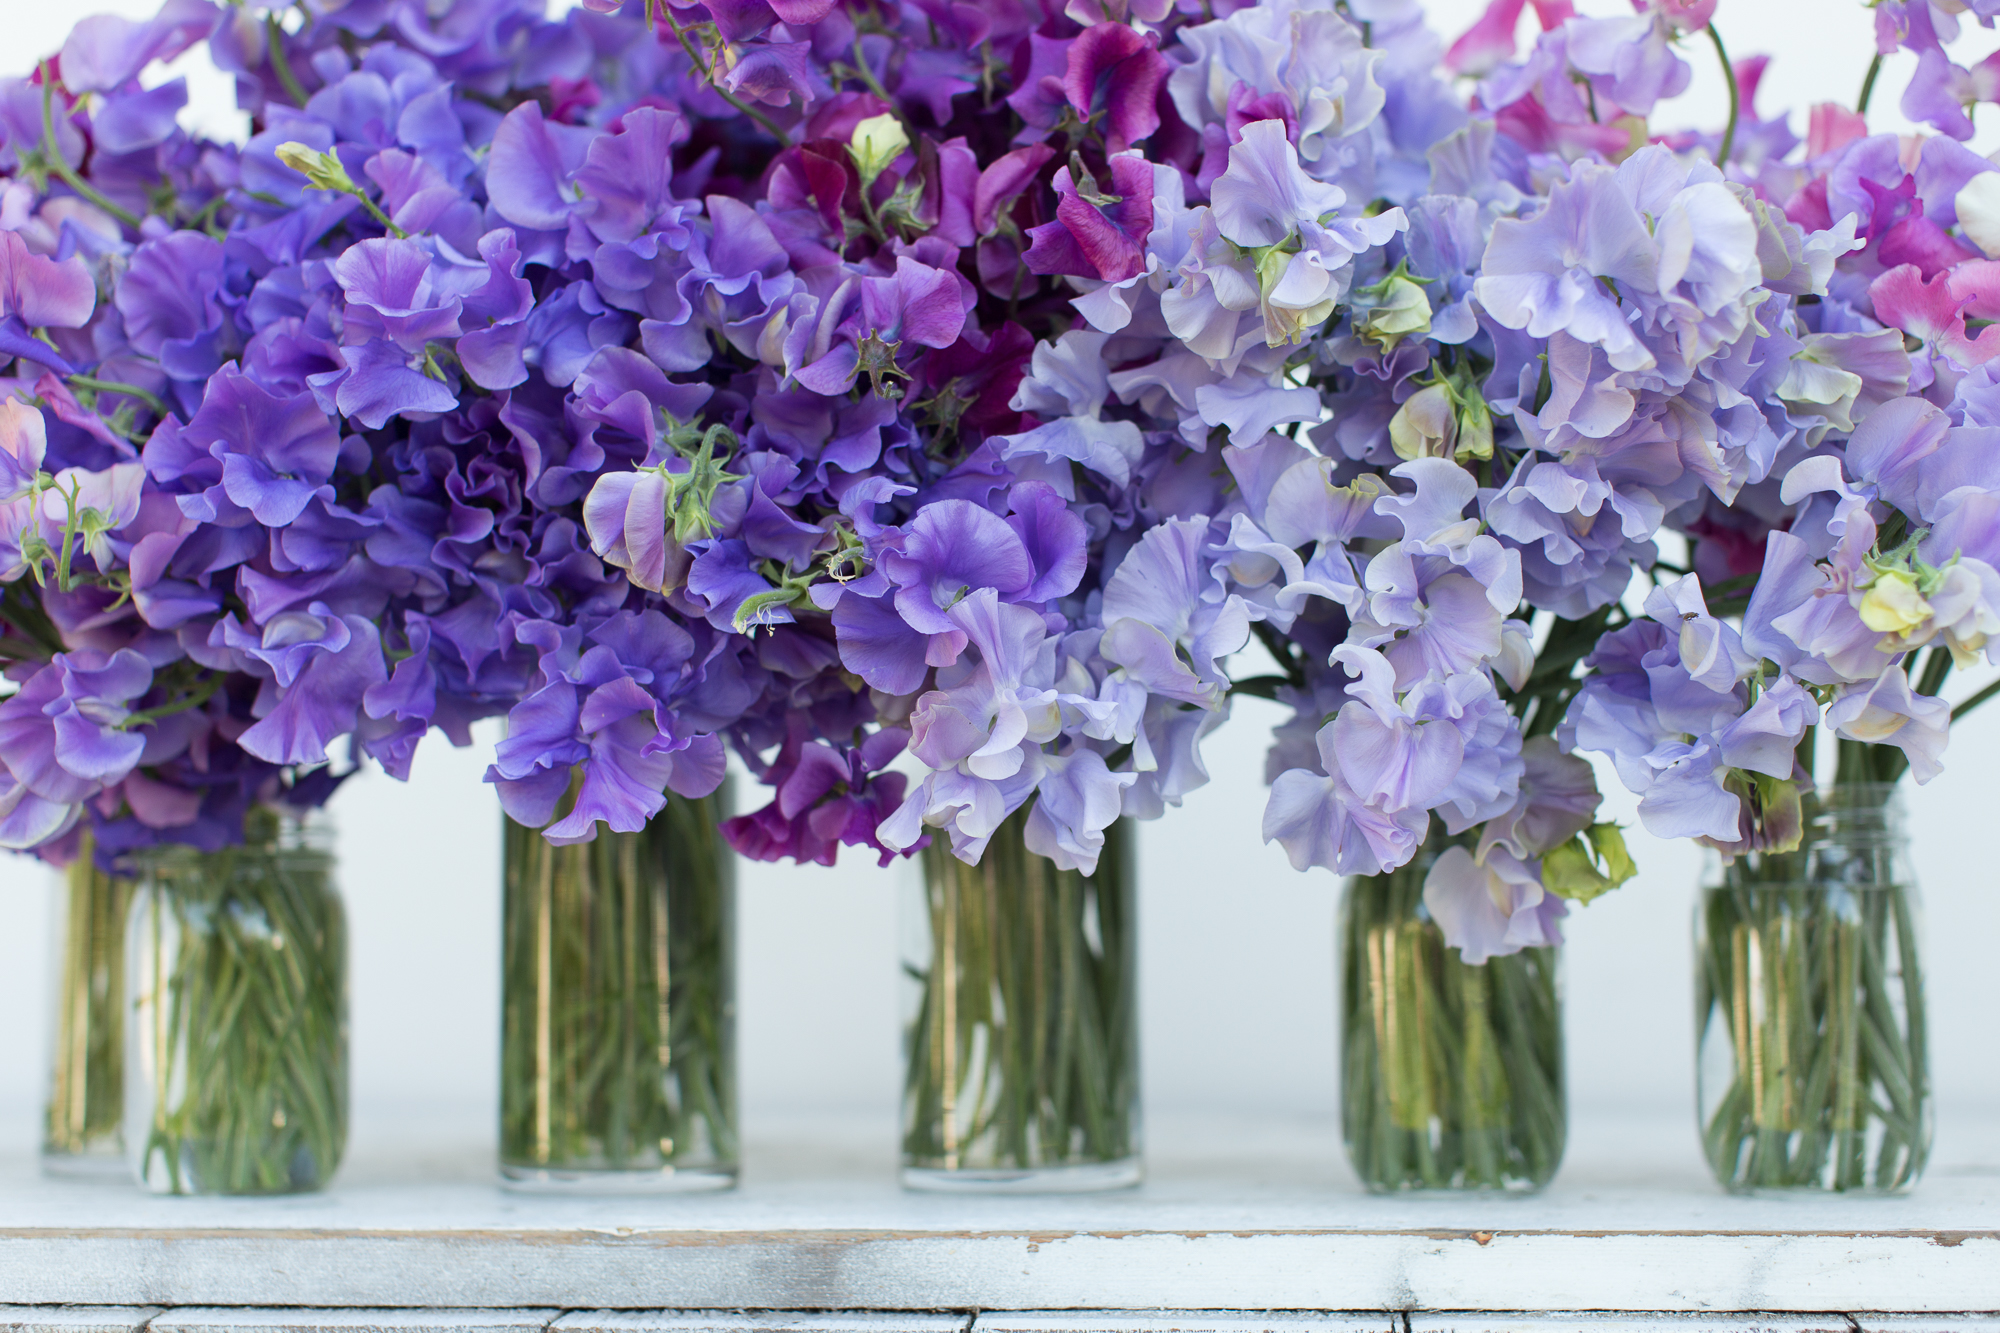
(1023, 1034)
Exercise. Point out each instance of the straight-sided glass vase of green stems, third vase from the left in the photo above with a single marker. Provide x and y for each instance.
(619, 1008)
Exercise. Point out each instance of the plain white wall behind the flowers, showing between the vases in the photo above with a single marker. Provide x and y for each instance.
(1237, 948)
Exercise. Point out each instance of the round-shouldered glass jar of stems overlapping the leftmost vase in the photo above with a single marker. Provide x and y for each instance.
(237, 1042)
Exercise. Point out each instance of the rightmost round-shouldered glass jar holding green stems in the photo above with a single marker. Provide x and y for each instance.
(1813, 1064)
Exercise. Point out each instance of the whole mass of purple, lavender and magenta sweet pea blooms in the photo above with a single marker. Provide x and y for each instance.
(933, 403)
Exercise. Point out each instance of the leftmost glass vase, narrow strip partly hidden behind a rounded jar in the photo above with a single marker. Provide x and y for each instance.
(87, 1084)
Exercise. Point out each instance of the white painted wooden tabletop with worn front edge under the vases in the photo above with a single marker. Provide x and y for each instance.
(1233, 1218)
